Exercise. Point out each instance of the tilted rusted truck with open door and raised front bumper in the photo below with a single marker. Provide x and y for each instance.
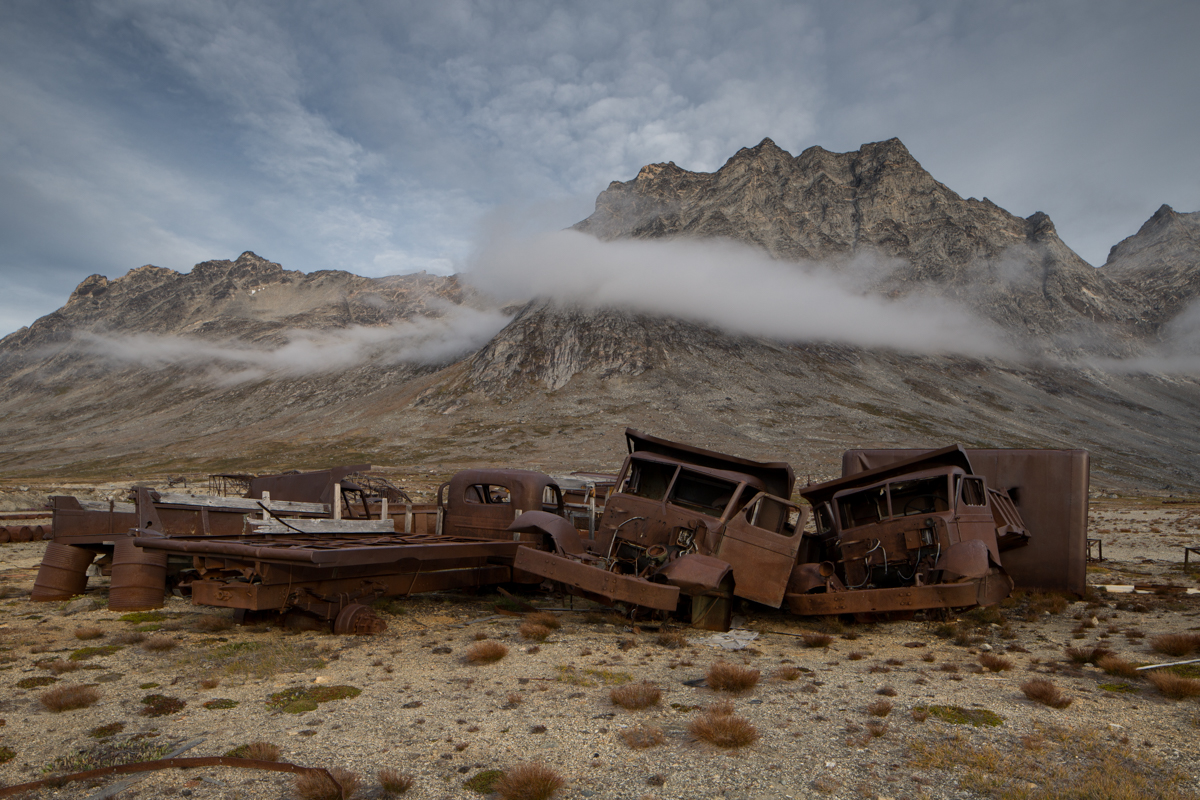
(685, 531)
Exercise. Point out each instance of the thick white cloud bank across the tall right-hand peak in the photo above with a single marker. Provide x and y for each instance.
(735, 288)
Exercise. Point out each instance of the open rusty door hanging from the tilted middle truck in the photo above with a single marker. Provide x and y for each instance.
(761, 544)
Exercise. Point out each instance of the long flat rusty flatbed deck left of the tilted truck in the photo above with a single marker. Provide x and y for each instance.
(329, 551)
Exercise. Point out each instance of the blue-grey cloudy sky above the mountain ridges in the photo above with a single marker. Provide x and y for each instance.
(382, 137)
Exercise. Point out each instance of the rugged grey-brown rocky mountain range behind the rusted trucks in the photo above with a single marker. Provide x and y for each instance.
(244, 365)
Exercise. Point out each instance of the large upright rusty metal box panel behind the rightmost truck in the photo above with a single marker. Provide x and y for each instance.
(1049, 489)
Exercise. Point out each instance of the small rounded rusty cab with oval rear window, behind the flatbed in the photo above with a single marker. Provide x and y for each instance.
(484, 503)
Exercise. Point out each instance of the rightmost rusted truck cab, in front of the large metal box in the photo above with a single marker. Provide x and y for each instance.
(923, 533)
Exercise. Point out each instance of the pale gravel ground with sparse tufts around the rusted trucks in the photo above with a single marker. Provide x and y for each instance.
(425, 711)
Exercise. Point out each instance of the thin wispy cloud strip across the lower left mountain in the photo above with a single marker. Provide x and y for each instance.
(424, 340)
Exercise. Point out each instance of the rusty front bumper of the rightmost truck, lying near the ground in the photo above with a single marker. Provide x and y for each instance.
(982, 592)
